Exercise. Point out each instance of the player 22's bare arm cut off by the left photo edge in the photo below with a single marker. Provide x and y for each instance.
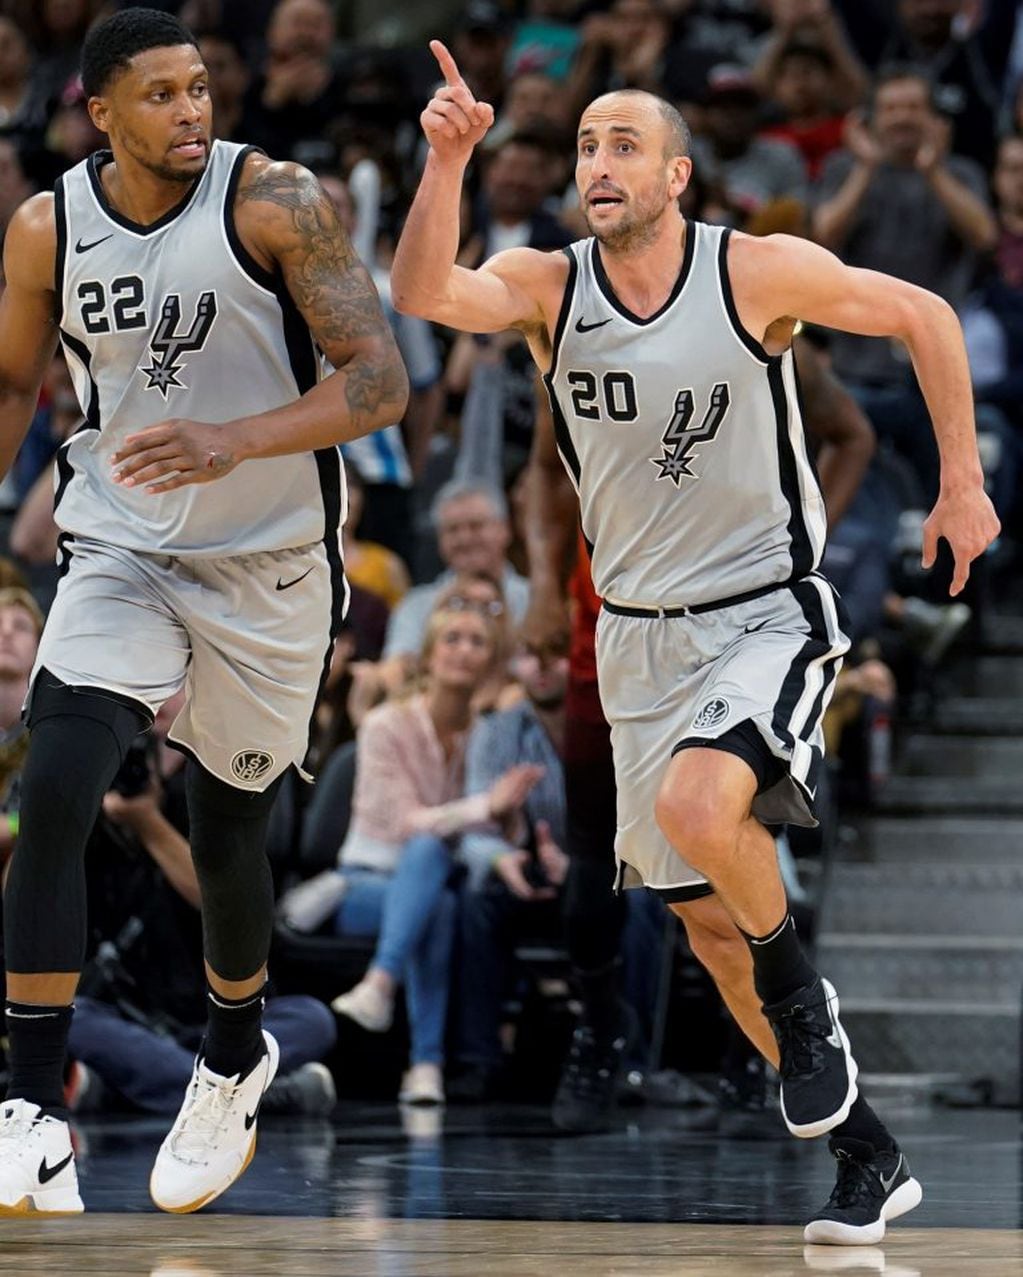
(29, 331)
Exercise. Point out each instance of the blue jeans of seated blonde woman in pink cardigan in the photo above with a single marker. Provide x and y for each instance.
(413, 912)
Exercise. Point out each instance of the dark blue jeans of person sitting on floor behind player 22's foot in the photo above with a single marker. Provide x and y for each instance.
(154, 1072)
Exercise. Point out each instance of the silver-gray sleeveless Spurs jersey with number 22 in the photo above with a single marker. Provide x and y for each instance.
(177, 320)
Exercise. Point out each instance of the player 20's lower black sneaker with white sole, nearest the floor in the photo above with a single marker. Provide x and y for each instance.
(872, 1190)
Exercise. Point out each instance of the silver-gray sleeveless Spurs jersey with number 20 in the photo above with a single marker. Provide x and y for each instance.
(683, 436)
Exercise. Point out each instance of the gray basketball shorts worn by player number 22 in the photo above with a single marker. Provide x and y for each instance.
(246, 637)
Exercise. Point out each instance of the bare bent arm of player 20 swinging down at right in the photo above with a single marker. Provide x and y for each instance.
(780, 278)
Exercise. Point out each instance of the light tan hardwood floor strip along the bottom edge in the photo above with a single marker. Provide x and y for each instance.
(284, 1247)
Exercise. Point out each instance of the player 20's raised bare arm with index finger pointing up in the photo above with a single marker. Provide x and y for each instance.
(505, 293)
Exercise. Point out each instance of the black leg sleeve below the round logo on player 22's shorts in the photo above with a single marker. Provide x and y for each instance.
(228, 832)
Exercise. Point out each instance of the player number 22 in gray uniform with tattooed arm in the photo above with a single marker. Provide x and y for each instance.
(193, 287)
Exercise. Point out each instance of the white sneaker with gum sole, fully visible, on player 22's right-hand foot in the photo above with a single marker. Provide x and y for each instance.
(214, 1138)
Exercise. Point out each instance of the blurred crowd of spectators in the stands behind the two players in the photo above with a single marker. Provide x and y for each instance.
(890, 131)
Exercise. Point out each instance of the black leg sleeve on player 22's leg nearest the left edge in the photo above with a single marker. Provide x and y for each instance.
(80, 739)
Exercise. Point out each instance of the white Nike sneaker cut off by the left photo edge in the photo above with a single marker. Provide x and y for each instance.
(38, 1174)
